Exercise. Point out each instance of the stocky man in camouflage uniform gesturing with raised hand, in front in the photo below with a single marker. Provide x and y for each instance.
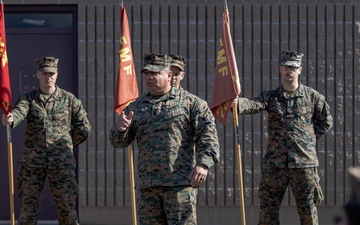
(177, 141)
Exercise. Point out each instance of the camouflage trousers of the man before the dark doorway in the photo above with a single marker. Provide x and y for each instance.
(63, 186)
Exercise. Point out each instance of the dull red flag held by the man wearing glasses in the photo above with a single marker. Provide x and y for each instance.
(226, 80)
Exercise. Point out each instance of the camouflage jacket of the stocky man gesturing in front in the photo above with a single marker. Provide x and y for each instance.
(174, 134)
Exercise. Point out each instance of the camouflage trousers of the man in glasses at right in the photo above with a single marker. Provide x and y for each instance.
(305, 187)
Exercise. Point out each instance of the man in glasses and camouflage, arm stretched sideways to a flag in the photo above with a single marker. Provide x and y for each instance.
(297, 116)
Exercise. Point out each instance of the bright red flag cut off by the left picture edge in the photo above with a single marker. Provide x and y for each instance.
(5, 90)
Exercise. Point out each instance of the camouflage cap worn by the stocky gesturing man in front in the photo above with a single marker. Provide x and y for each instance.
(156, 62)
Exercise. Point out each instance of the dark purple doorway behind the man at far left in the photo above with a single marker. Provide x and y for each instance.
(34, 31)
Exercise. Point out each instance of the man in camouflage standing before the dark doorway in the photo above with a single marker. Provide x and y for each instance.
(56, 123)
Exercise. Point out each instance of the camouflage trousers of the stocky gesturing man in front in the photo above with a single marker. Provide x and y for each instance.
(167, 205)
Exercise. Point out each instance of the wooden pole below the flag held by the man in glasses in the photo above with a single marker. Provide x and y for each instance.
(238, 157)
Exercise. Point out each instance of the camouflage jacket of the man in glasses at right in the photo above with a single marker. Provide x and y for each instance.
(294, 124)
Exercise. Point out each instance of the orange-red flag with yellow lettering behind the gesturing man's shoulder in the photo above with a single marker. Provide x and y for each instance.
(126, 86)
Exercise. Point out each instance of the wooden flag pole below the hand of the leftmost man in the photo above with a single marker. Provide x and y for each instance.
(11, 176)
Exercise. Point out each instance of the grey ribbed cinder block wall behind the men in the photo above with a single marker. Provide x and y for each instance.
(326, 31)
